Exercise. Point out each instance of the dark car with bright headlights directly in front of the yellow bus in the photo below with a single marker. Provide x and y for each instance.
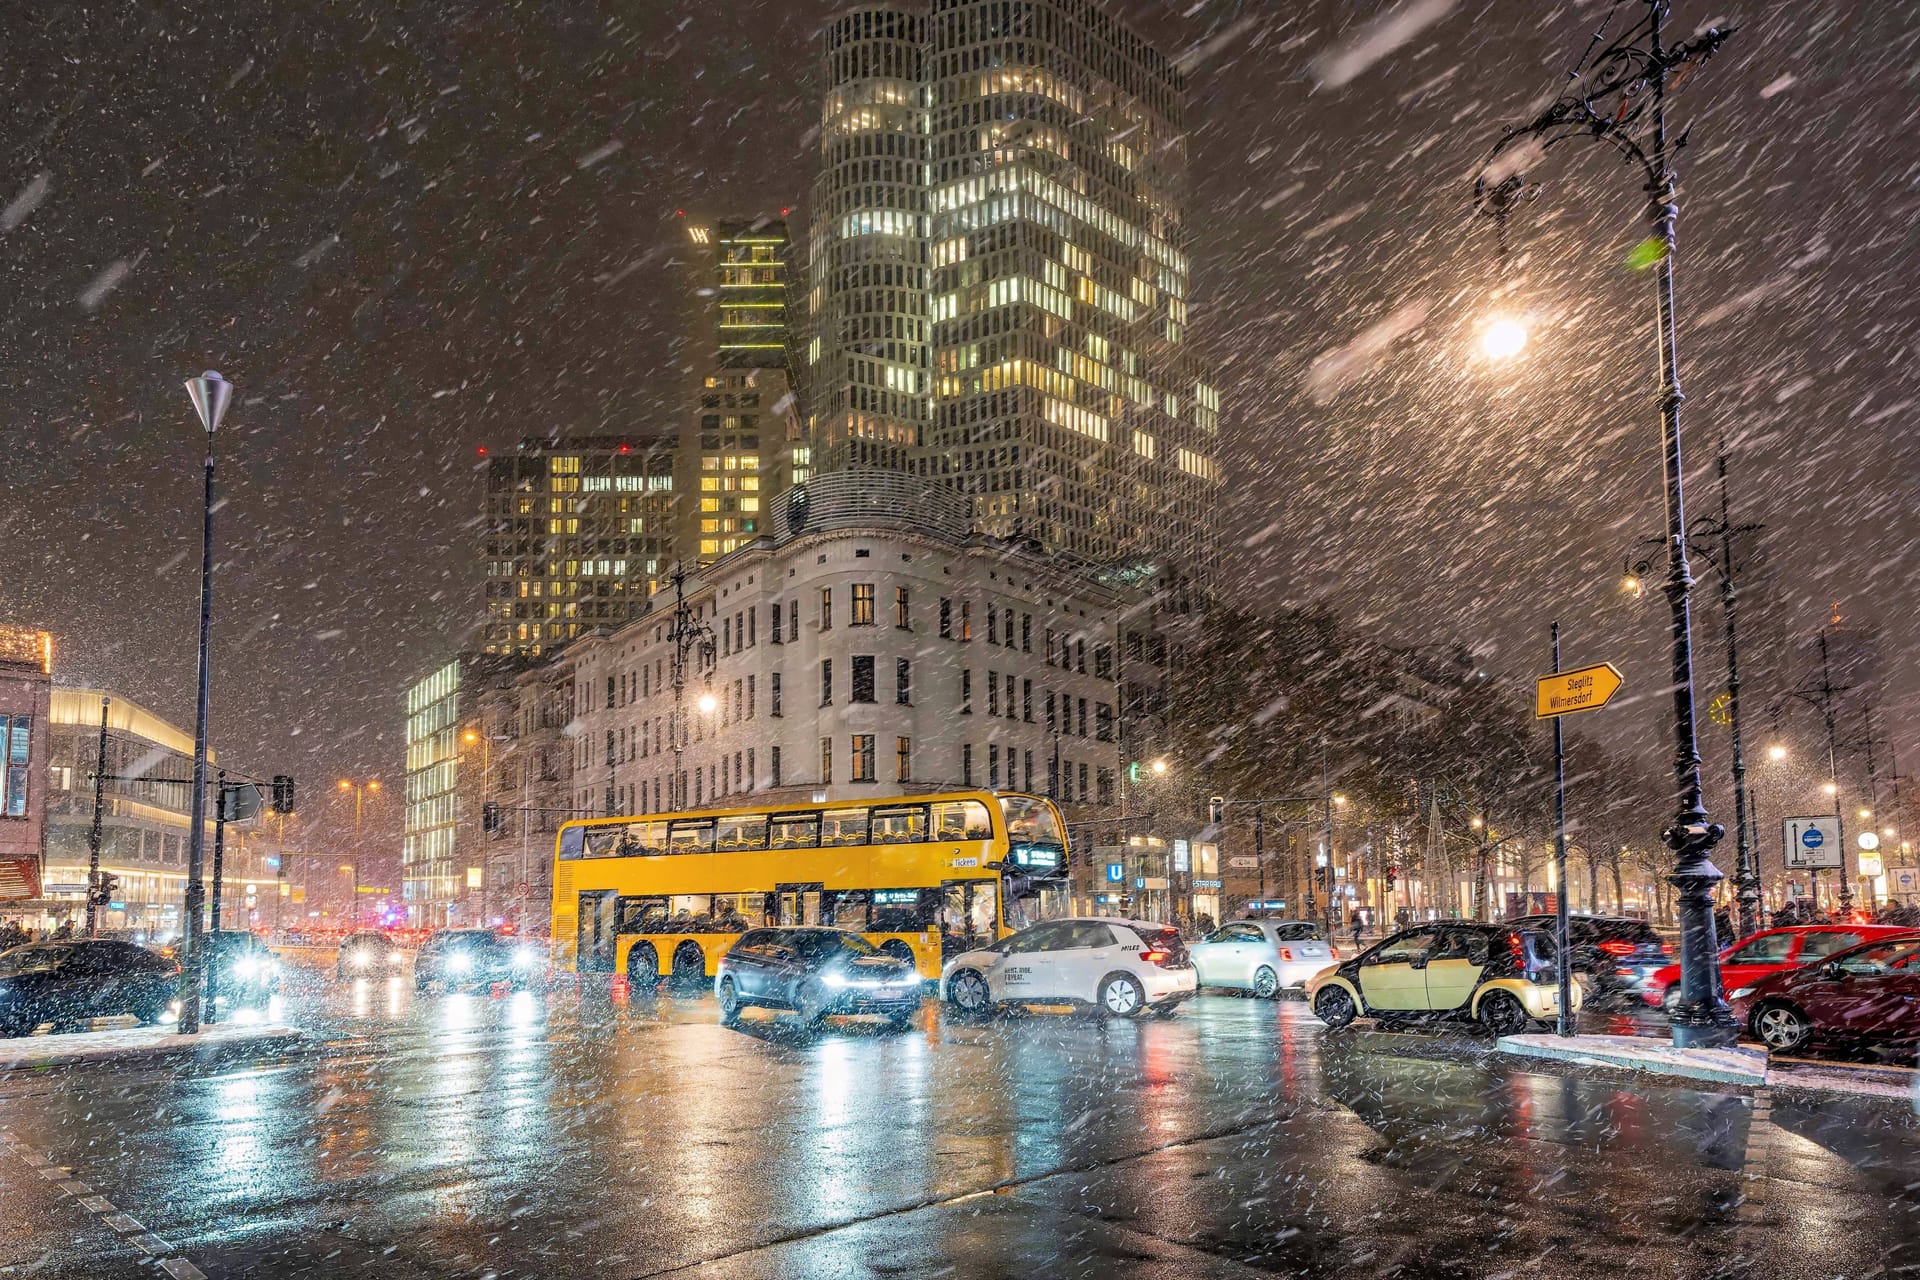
(817, 974)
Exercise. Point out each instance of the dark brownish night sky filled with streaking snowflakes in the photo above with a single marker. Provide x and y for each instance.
(412, 229)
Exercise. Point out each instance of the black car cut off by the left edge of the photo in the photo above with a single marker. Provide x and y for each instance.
(72, 982)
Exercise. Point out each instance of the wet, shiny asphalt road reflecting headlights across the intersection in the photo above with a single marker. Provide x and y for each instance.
(562, 1135)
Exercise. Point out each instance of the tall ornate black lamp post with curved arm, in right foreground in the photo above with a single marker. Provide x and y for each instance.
(1620, 97)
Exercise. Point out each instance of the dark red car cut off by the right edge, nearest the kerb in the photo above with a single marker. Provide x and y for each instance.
(1863, 993)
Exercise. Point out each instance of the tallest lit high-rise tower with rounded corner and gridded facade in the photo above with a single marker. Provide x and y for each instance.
(997, 293)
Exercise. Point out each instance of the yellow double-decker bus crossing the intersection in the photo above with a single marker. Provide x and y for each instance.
(921, 876)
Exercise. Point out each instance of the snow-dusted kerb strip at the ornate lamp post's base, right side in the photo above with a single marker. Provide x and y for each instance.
(1739, 1066)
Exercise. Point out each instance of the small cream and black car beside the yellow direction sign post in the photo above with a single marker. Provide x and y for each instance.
(1458, 970)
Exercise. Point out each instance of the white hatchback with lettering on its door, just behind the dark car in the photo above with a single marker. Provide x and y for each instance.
(1116, 966)
